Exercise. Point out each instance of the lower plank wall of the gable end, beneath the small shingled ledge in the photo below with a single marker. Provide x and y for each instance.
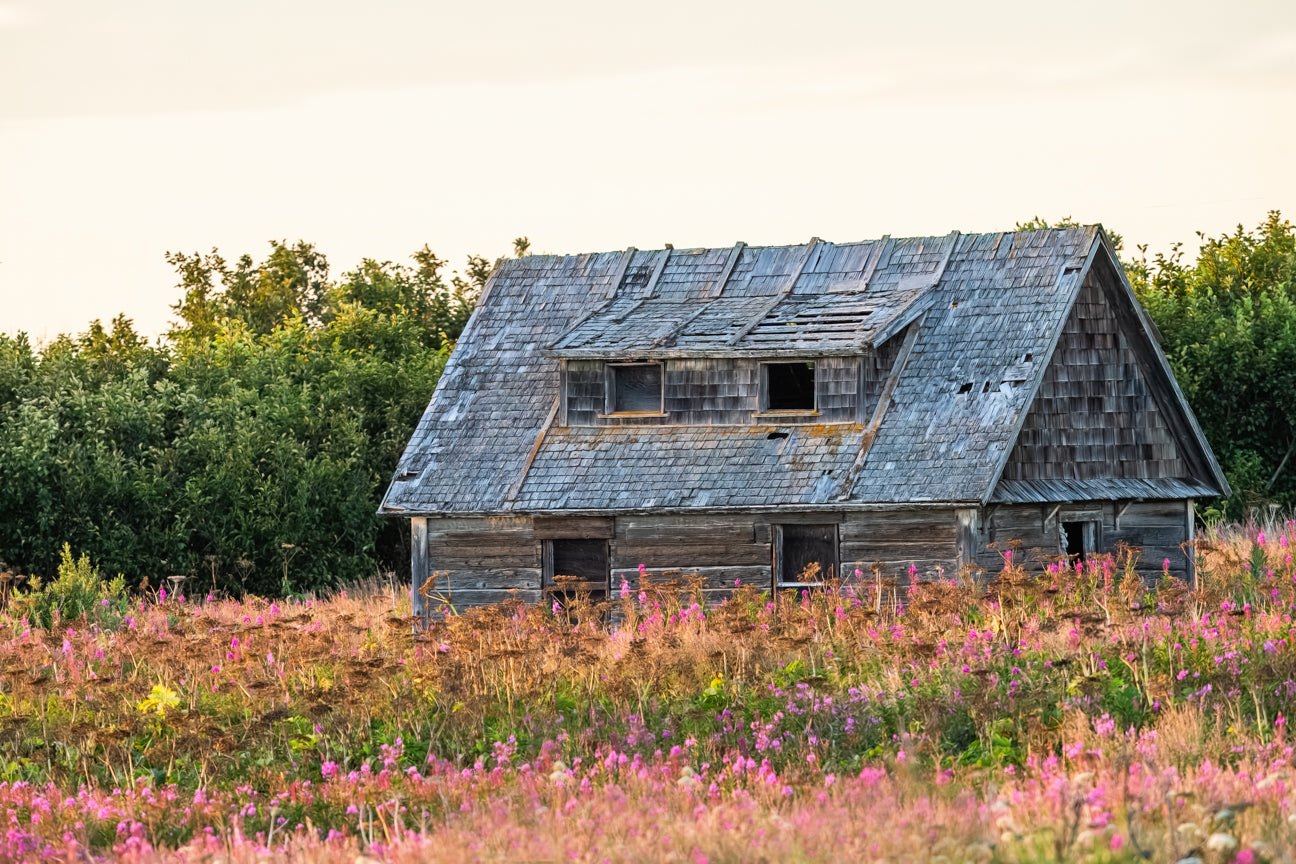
(1158, 529)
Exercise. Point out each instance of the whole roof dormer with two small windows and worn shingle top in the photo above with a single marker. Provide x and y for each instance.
(777, 336)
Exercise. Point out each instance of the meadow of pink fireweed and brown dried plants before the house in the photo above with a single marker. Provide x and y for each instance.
(1044, 713)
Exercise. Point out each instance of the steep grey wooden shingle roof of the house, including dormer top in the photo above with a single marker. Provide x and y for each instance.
(986, 310)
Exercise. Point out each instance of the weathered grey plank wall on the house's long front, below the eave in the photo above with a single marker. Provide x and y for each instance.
(480, 560)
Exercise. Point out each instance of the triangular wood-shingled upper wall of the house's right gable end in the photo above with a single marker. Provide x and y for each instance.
(1096, 414)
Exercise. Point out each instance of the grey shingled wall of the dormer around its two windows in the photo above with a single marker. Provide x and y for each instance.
(725, 392)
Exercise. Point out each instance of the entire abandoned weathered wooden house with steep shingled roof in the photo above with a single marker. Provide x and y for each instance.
(742, 414)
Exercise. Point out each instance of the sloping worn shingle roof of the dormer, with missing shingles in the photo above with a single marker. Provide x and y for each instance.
(820, 300)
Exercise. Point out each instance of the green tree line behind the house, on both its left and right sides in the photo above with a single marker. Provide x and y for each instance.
(248, 449)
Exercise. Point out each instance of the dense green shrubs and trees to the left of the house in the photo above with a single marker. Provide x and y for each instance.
(251, 448)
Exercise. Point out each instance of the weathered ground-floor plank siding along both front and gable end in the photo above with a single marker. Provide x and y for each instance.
(484, 560)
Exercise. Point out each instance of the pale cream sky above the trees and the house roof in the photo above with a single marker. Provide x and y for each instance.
(139, 128)
